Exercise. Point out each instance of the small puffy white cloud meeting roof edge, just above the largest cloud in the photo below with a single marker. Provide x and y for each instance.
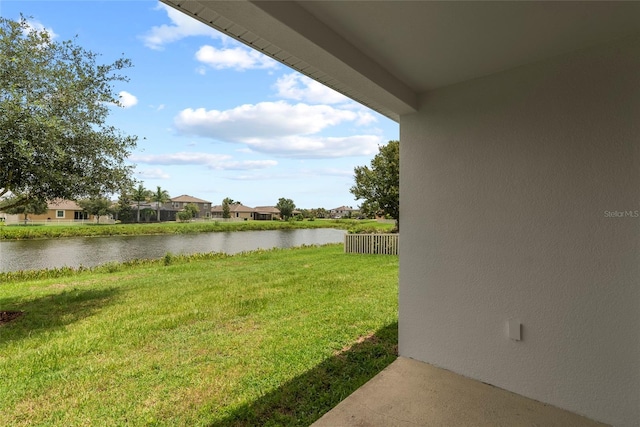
(301, 88)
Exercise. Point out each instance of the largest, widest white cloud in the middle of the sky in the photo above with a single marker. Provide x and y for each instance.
(280, 128)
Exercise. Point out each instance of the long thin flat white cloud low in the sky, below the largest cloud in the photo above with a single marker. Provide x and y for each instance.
(212, 161)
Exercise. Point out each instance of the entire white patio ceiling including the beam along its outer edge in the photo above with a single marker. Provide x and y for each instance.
(384, 53)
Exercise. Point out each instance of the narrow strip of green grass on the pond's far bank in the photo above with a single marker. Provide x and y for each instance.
(20, 232)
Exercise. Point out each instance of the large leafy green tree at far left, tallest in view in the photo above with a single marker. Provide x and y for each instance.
(54, 102)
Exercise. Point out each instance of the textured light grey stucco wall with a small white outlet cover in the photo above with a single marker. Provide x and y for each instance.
(506, 183)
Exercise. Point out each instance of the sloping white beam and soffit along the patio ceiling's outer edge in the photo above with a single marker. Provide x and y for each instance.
(321, 54)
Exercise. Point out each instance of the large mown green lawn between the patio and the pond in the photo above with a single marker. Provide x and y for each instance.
(264, 338)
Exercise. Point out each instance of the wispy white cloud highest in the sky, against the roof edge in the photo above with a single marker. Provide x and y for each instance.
(181, 26)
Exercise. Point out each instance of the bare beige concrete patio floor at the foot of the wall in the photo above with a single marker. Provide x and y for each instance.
(412, 393)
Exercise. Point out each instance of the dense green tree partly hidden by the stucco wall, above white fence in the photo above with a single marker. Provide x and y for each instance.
(379, 185)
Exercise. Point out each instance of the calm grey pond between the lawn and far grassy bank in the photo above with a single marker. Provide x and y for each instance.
(92, 251)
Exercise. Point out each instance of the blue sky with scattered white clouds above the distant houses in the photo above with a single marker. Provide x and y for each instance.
(214, 118)
